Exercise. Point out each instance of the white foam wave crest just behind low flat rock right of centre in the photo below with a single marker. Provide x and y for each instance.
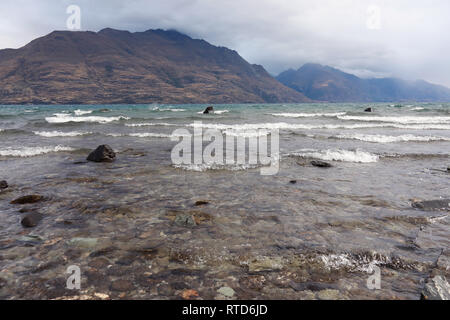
(358, 156)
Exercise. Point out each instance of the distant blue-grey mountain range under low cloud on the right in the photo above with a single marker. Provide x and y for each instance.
(324, 83)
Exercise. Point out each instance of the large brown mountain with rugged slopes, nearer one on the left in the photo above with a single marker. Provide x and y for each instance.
(114, 66)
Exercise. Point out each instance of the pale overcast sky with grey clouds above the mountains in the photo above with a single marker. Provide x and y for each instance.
(404, 38)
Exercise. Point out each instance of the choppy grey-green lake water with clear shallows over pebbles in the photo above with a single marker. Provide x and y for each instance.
(304, 233)
